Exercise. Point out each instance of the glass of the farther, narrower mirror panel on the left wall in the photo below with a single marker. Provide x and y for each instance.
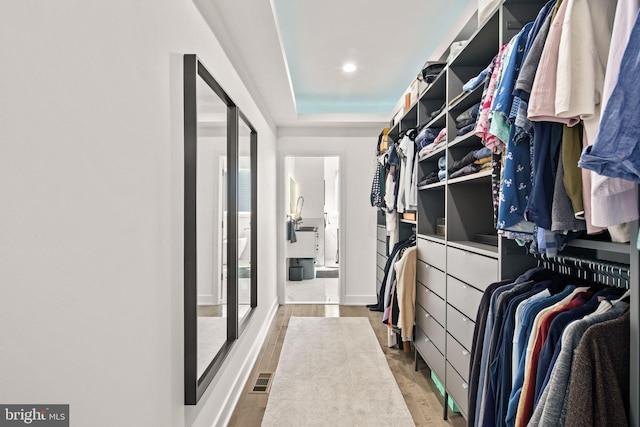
(244, 220)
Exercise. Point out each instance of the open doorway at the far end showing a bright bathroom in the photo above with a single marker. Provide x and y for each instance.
(312, 252)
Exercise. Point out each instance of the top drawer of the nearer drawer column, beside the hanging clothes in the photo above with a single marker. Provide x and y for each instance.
(472, 268)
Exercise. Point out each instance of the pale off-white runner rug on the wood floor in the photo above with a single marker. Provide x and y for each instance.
(332, 372)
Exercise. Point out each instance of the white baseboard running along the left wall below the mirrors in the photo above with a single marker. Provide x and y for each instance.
(247, 367)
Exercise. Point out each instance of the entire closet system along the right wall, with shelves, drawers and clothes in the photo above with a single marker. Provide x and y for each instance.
(525, 222)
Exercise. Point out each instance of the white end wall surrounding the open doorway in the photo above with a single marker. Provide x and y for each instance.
(356, 148)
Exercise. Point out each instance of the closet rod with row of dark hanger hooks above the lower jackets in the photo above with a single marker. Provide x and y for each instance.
(607, 273)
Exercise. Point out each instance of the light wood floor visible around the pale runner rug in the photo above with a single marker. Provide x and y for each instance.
(422, 398)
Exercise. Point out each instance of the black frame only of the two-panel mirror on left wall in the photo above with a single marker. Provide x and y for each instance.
(194, 386)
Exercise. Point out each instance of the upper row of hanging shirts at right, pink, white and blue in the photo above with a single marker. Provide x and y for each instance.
(554, 113)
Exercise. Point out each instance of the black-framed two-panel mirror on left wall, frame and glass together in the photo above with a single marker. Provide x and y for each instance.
(220, 201)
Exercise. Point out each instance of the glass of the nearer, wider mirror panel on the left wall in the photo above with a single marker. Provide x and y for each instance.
(211, 217)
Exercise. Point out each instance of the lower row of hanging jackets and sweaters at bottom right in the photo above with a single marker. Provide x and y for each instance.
(527, 326)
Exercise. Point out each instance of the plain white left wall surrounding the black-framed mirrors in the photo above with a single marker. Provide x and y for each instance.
(91, 178)
